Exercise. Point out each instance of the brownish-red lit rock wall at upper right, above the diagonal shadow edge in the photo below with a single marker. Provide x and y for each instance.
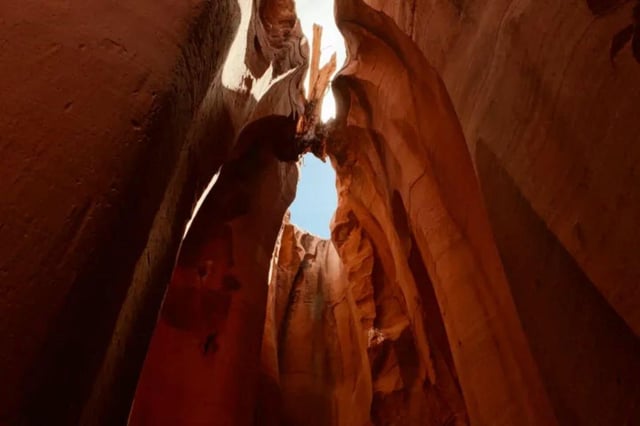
(534, 84)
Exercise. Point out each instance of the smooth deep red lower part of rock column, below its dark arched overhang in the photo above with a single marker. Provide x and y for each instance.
(203, 361)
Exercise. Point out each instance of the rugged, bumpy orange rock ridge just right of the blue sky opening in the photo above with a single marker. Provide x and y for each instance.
(413, 380)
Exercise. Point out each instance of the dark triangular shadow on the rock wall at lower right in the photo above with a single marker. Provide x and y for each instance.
(588, 358)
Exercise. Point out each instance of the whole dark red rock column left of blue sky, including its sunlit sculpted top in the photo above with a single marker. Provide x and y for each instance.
(203, 362)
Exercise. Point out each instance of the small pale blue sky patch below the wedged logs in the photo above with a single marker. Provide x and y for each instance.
(316, 197)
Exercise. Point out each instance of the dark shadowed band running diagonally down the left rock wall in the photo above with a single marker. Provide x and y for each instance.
(64, 380)
